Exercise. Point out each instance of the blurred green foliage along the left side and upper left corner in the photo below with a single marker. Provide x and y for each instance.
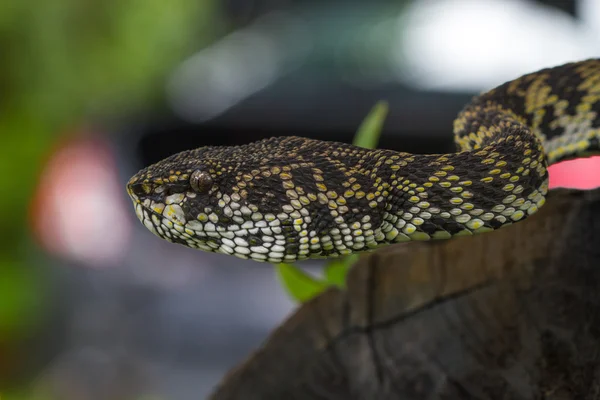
(66, 64)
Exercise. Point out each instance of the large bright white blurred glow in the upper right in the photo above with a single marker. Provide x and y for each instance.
(476, 44)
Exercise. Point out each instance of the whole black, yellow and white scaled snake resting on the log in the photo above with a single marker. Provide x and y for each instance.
(288, 198)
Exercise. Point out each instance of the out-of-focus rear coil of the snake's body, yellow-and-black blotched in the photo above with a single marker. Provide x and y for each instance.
(559, 106)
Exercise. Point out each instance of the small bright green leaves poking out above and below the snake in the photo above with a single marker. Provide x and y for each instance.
(302, 287)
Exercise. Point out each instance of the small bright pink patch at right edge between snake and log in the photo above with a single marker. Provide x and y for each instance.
(581, 173)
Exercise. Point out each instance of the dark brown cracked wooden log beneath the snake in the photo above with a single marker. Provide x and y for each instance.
(511, 314)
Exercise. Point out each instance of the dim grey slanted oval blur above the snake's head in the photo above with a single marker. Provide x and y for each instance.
(241, 64)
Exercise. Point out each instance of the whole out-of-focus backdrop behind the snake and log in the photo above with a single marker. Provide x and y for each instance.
(92, 305)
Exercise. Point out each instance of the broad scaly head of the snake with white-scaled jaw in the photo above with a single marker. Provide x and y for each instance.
(263, 201)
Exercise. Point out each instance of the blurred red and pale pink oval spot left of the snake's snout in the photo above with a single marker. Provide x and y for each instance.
(79, 210)
